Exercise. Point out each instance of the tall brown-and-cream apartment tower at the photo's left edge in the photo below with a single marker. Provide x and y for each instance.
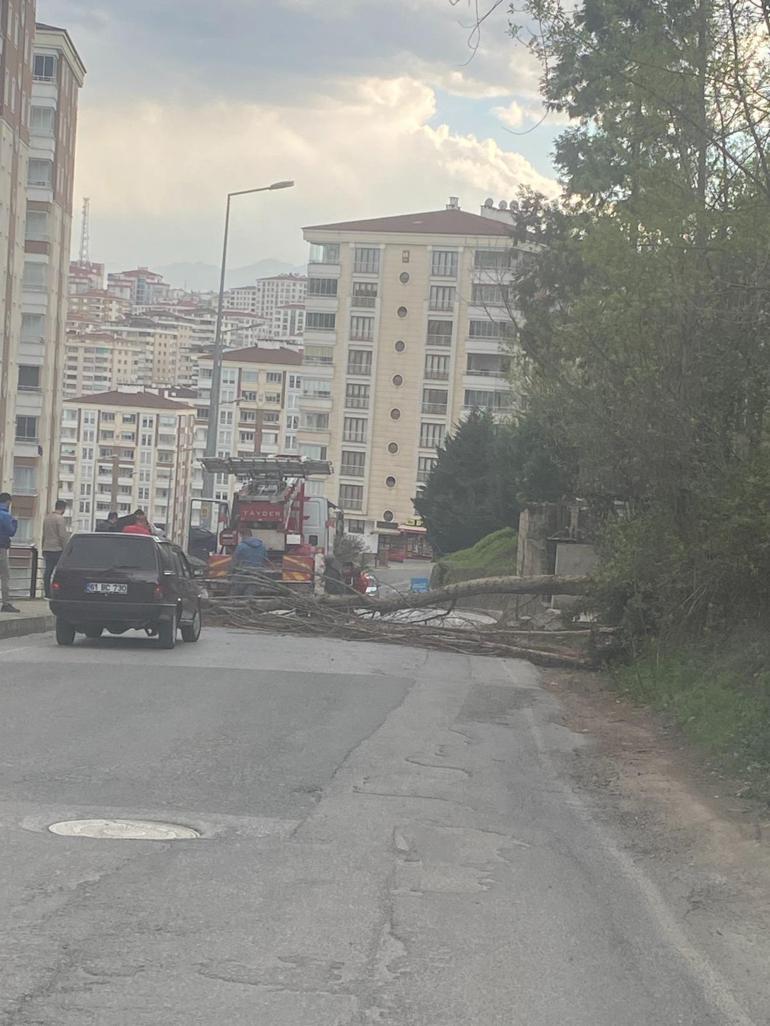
(42, 74)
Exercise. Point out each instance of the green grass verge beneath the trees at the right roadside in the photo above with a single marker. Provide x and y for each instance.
(719, 695)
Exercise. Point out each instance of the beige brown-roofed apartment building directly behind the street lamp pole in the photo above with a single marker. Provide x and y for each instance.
(259, 408)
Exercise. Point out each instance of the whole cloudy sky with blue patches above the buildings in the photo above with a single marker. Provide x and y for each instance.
(372, 107)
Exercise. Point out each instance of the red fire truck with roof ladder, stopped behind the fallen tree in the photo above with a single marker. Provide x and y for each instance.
(273, 502)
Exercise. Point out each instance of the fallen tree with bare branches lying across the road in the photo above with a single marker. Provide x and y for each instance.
(360, 618)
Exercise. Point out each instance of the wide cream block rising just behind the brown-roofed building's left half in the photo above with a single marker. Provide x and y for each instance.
(101, 362)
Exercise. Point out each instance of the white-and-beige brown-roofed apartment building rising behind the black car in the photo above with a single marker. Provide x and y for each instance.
(124, 451)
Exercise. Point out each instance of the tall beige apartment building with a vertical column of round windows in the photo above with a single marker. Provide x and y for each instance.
(406, 330)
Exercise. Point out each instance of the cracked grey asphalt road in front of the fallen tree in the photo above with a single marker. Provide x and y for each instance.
(390, 837)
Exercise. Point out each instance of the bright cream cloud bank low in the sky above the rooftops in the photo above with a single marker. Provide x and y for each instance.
(160, 171)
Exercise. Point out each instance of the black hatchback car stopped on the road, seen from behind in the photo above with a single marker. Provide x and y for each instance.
(126, 582)
